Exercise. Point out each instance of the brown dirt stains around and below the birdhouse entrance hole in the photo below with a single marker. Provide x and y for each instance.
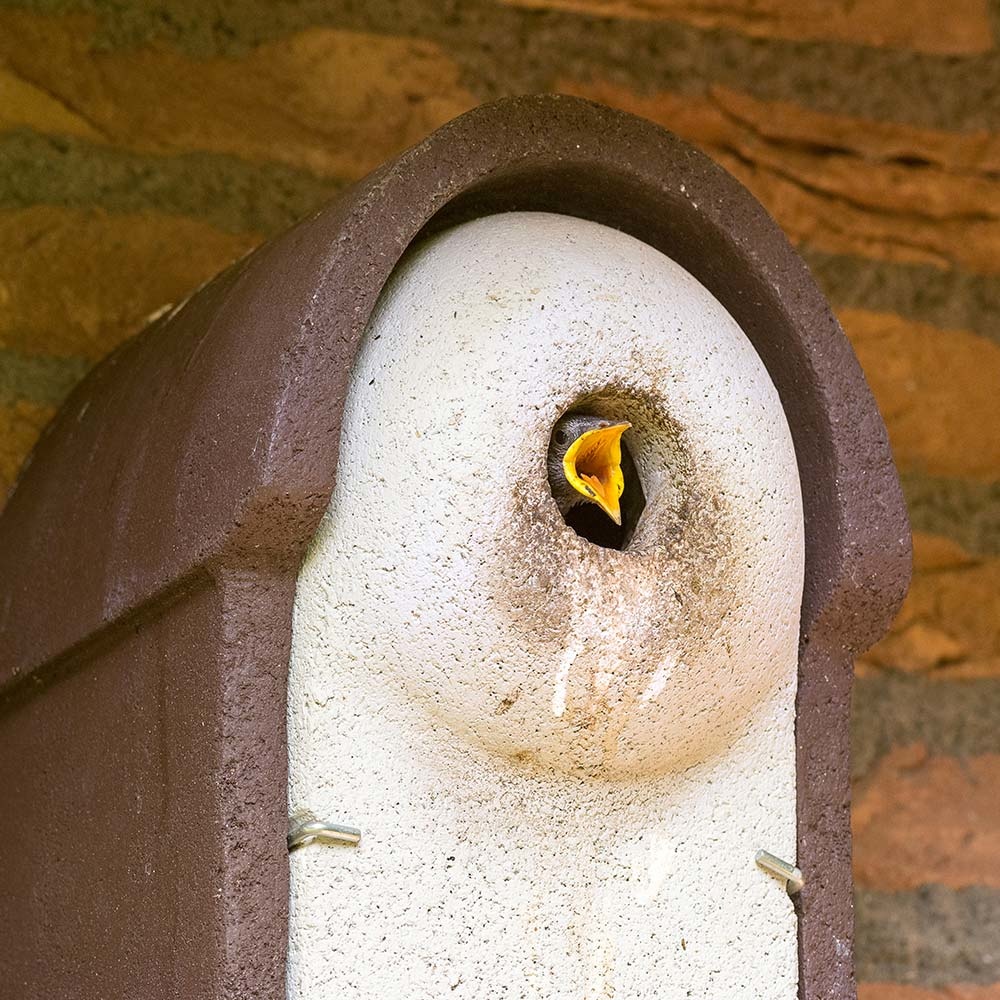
(611, 617)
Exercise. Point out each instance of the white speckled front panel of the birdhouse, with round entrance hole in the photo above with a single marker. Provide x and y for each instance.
(563, 757)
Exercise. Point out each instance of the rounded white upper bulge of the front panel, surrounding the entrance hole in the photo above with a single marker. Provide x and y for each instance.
(453, 571)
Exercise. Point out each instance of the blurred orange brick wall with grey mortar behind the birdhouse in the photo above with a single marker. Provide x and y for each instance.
(145, 146)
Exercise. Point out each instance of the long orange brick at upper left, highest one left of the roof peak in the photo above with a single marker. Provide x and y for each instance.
(335, 102)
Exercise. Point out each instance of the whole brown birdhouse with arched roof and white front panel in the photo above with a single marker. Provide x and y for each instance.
(456, 597)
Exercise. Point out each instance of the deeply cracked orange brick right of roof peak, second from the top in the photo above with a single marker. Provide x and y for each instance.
(847, 202)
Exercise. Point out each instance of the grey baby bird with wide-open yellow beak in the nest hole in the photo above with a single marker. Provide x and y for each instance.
(585, 463)
